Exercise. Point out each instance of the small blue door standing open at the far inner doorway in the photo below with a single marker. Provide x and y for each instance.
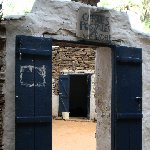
(64, 91)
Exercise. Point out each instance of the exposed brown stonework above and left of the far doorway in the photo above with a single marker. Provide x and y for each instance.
(71, 59)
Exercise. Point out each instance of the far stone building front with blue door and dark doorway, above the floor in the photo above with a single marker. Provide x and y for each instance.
(73, 74)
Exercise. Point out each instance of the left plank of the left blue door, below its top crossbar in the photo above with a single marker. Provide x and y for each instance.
(24, 102)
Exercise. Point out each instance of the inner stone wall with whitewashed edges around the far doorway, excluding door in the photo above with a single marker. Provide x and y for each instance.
(72, 60)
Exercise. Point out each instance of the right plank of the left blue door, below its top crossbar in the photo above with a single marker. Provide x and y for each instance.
(43, 108)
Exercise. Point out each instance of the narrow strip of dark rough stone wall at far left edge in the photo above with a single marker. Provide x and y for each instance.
(2, 79)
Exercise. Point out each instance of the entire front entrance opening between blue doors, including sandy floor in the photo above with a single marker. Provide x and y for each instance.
(73, 80)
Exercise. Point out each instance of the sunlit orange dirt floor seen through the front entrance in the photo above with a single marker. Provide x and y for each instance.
(72, 135)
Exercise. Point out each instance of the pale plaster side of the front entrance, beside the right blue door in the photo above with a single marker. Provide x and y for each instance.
(103, 98)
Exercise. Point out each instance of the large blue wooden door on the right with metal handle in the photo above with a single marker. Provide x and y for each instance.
(127, 99)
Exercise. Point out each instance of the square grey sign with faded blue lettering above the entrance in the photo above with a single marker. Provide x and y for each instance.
(94, 24)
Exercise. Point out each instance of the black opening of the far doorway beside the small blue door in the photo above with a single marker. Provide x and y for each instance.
(78, 102)
